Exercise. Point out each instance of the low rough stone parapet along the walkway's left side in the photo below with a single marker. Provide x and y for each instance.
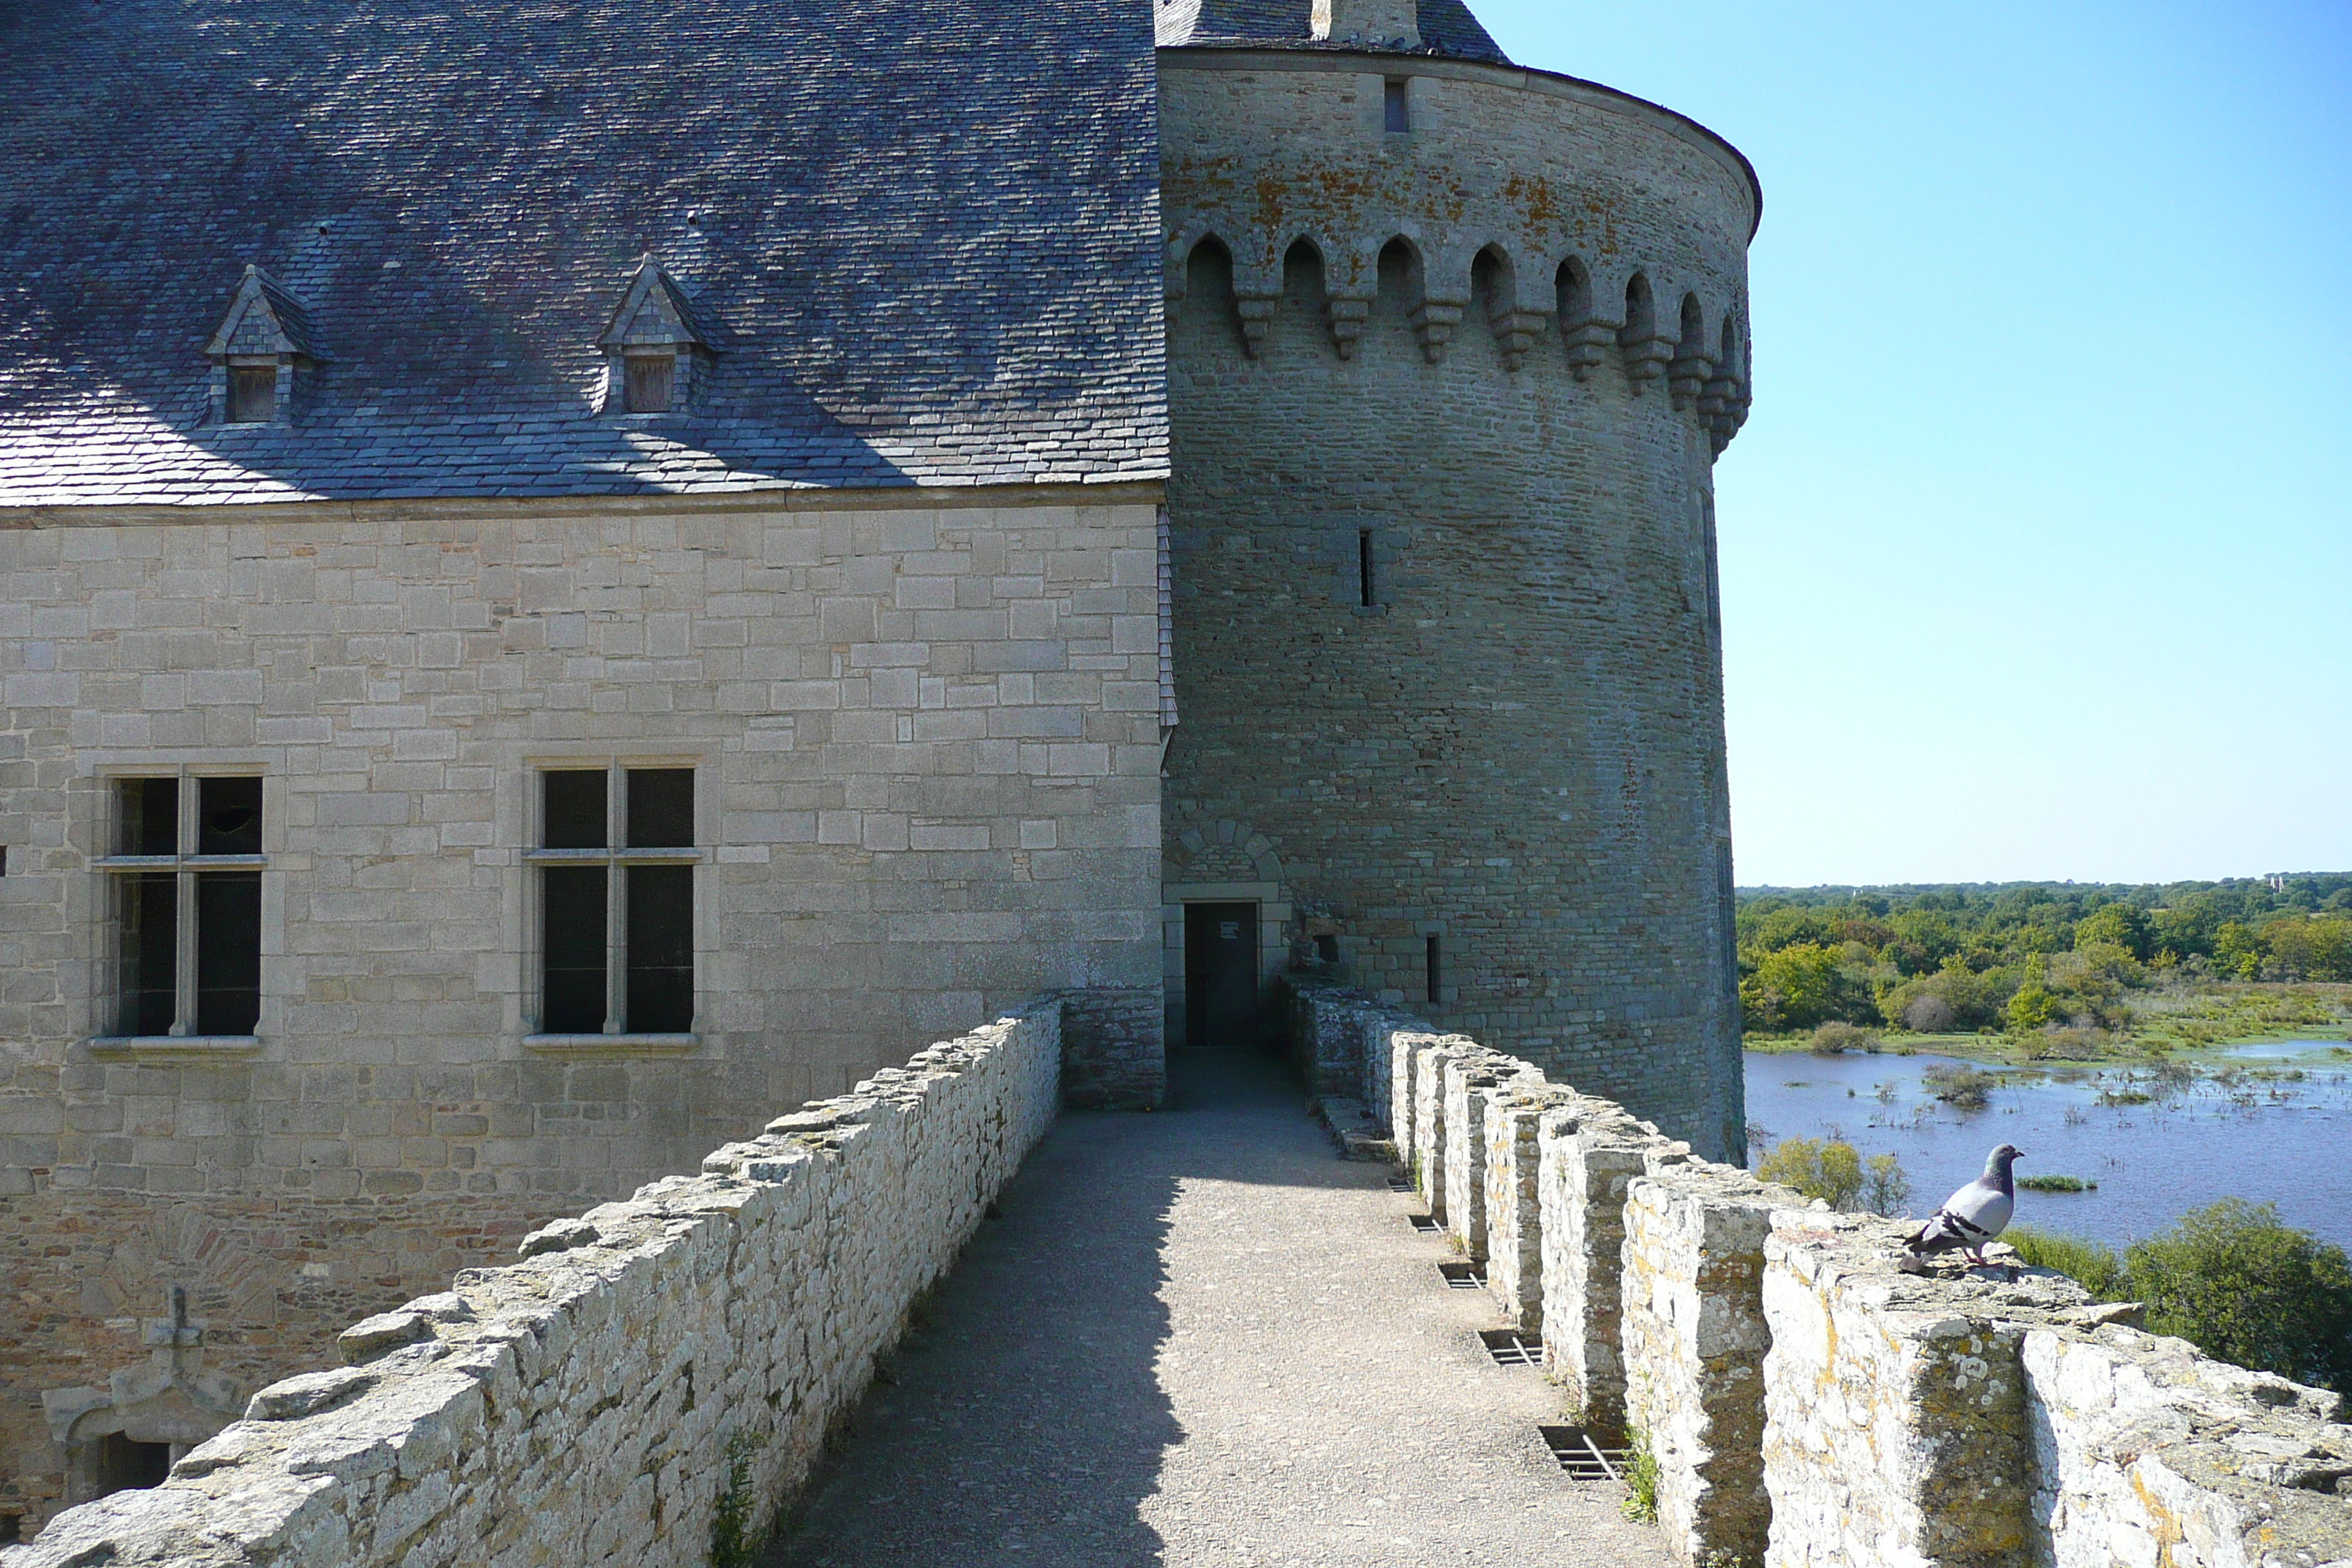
(589, 1402)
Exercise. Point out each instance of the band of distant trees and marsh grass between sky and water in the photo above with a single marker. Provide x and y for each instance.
(2045, 972)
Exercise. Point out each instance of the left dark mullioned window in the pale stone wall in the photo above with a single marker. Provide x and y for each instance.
(187, 899)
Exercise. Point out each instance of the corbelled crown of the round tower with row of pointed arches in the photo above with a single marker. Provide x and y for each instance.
(1556, 220)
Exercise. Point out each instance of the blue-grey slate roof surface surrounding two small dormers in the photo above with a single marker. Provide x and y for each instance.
(926, 234)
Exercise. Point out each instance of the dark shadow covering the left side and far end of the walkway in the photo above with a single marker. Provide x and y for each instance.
(1024, 1416)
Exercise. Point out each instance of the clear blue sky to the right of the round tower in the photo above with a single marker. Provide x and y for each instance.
(2038, 558)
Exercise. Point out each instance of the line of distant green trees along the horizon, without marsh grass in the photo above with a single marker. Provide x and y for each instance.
(2024, 956)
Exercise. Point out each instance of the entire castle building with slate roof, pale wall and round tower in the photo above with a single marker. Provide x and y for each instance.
(577, 577)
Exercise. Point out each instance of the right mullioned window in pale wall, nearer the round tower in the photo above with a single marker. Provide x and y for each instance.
(617, 902)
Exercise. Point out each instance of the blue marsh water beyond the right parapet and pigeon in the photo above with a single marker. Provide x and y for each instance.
(2269, 1123)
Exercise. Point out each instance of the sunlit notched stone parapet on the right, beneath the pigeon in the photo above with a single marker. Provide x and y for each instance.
(1808, 1400)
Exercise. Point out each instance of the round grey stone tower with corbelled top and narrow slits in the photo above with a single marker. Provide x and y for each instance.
(1452, 351)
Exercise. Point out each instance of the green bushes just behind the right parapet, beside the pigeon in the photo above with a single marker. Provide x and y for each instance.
(2231, 1280)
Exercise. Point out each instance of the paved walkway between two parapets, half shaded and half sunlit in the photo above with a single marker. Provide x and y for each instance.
(1201, 1339)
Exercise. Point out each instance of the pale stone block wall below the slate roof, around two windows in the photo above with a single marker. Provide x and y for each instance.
(926, 753)
